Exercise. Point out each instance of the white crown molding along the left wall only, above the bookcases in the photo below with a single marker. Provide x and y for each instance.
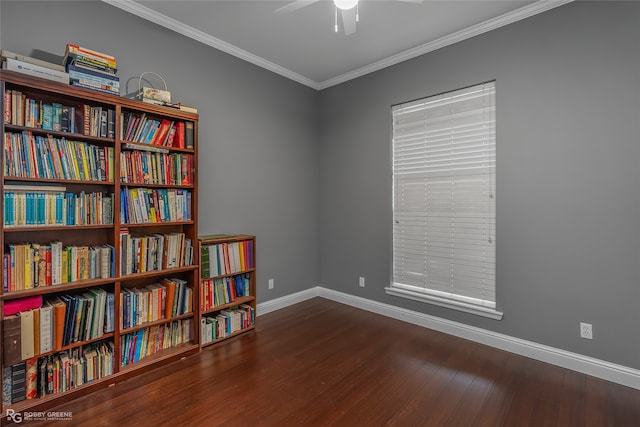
(195, 34)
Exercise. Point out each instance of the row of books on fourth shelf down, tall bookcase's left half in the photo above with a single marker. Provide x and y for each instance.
(32, 265)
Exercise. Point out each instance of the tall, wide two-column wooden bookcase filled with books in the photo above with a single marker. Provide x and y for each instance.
(147, 242)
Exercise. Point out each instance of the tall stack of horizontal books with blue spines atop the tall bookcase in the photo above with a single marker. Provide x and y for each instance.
(91, 69)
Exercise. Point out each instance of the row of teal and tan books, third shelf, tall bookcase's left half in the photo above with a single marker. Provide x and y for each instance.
(26, 206)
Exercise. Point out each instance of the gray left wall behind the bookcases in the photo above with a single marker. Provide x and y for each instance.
(258, 168)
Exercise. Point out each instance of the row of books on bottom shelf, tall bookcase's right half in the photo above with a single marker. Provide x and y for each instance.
(145, 342)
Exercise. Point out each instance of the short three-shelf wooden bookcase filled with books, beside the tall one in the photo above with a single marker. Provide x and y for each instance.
(227, 286)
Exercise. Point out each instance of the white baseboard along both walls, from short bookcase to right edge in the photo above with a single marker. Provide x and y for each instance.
(587, 365)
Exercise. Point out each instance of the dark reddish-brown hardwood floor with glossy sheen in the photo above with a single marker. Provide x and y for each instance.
(320, 363)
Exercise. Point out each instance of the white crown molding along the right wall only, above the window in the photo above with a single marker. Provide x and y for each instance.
(467, 33)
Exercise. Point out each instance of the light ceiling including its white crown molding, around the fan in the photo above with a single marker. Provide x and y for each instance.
(303, 46)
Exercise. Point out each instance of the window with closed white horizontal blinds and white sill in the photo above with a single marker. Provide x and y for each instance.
(444, 199)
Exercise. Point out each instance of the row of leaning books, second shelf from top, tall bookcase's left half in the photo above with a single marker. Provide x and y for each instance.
(26, 156)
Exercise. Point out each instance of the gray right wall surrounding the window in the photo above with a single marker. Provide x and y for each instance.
(568, 175)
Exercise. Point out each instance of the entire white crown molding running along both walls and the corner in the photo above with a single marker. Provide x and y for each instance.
(195, 34)
